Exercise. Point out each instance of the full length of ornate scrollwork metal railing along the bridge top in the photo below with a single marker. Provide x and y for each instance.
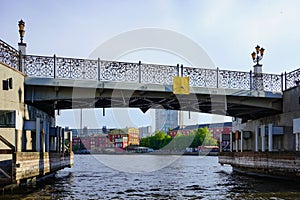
(101, 70)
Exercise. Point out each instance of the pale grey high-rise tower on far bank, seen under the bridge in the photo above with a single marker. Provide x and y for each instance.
(165, 120)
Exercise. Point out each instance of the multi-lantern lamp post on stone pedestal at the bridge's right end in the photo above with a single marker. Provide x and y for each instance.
(257, 55)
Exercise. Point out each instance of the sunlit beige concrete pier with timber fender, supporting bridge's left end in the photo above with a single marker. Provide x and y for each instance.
(25, 141)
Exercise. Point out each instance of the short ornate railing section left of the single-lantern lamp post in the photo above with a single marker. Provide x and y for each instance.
(9, 55)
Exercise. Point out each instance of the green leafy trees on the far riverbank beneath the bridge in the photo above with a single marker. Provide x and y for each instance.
(197, 138)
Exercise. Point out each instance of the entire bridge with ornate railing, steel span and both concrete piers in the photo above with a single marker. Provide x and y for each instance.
(268, 103)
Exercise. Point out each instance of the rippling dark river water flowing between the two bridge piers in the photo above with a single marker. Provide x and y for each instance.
(154, 177)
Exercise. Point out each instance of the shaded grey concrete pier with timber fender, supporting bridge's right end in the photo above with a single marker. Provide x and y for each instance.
(273, 146)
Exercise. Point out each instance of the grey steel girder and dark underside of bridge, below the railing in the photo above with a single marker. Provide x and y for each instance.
(65, 95)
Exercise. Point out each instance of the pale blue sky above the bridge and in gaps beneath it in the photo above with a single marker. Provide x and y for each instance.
(227, 31)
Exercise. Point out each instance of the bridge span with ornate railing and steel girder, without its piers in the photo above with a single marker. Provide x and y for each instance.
(56, 83)
